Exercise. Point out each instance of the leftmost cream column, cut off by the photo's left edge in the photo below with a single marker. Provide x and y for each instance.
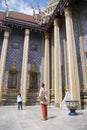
(3, 60)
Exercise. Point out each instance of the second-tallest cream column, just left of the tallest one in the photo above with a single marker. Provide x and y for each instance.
(57, 64)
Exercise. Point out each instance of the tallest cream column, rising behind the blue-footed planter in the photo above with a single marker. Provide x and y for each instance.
(71, 55)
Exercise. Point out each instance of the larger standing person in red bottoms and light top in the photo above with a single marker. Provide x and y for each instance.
(43, 102)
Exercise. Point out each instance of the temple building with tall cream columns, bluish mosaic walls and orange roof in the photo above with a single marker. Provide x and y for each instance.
(53, 52)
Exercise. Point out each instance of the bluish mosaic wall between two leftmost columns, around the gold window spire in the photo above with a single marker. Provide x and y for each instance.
(15, 49)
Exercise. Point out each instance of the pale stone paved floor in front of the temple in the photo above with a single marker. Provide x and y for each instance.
(30, 119)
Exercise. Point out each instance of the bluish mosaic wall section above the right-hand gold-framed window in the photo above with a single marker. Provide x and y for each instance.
(35, 47)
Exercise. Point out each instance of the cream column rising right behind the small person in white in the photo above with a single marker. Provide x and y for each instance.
(25, 66)
